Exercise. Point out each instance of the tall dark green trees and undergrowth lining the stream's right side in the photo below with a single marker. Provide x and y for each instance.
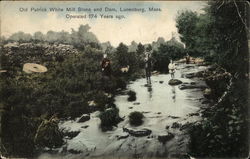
(220, 36)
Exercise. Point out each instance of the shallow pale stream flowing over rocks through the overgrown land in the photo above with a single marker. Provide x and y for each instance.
(167, 111)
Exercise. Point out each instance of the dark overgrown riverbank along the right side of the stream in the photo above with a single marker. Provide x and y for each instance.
(223, 130)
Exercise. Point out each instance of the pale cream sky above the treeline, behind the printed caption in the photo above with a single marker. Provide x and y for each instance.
(136, 26)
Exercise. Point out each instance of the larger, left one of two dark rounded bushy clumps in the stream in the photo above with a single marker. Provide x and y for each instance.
(110, 117)
